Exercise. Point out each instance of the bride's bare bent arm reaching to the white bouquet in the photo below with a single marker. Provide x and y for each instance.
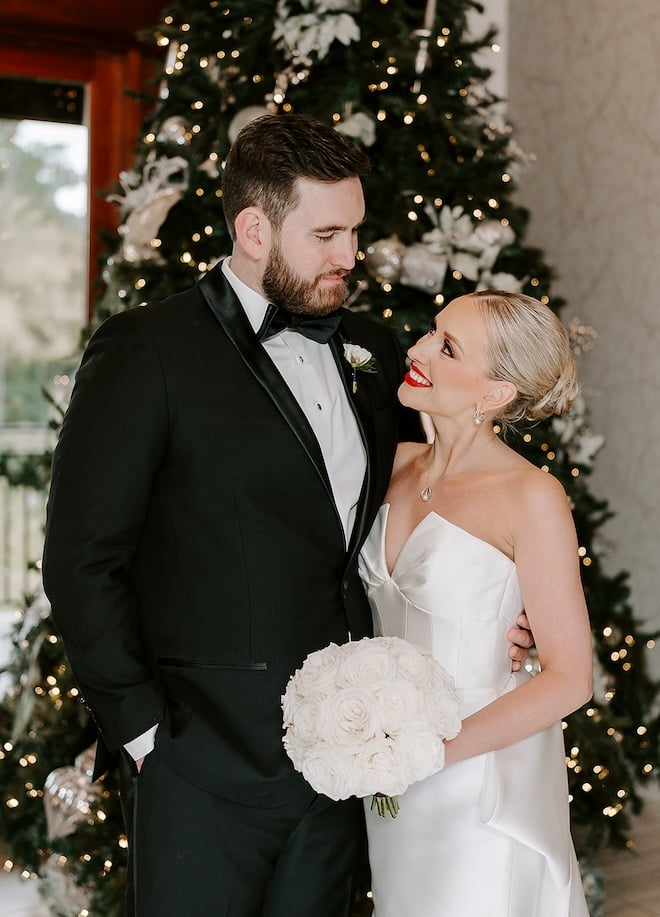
(546, 555)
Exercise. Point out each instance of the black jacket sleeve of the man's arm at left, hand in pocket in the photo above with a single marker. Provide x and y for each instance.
(110, 444)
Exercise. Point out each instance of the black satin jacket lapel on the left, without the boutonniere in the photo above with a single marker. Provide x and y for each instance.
(228, 311)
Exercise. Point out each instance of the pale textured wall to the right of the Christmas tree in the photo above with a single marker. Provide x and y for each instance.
(584, 97)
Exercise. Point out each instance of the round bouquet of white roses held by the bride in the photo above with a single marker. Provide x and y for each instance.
(369, 718)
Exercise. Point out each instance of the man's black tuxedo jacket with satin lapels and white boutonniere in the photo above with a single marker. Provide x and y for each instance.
(194, 555)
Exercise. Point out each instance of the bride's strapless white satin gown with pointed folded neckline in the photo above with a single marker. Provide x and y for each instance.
(489, 836)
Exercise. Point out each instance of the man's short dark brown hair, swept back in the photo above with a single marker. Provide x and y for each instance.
(272, 152)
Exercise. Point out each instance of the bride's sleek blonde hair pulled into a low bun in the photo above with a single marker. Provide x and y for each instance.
(528, 346)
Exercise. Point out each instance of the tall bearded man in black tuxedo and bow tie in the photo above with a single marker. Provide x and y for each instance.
(216, 473)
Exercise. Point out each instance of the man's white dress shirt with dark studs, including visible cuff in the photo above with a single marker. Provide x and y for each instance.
(310, 371)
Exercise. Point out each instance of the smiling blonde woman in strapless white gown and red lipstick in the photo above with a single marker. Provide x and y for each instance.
(469, 535)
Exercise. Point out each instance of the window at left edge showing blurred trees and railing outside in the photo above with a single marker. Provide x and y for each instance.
(43, 283)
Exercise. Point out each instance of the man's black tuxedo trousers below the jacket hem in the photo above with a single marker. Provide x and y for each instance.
(192, 852)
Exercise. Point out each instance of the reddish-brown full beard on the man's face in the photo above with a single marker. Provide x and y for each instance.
(283, 287)
